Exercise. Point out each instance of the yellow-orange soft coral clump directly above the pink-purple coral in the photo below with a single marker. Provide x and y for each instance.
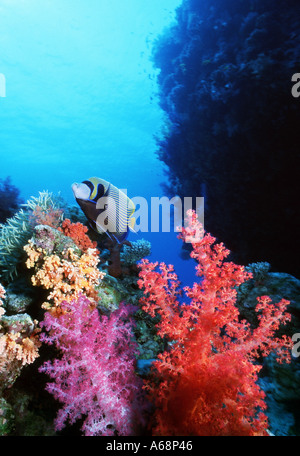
(66, 277)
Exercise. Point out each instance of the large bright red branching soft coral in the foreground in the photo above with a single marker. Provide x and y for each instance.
(205, 383)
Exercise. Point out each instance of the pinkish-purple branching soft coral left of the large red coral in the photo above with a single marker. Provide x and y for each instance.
(95, 377)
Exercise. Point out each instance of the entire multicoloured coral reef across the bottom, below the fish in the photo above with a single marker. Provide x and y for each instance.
(198, 361)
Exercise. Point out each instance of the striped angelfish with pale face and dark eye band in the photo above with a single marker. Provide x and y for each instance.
(107, 208)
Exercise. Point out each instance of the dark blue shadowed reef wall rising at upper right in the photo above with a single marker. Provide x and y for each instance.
(233, 127)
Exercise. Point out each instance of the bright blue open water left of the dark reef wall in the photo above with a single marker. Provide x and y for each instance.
(81, 99)
